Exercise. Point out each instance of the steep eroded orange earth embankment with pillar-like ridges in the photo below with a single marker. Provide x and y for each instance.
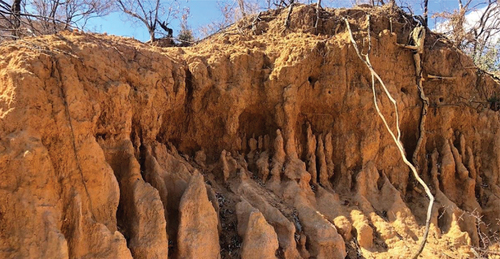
(258, 142)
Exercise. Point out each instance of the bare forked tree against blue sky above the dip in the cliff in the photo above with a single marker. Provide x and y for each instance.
(154, 14)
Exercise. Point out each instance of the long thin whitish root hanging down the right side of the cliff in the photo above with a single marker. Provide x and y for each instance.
(396, 139)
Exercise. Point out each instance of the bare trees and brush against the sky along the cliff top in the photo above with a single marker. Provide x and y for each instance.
(472, 25)
